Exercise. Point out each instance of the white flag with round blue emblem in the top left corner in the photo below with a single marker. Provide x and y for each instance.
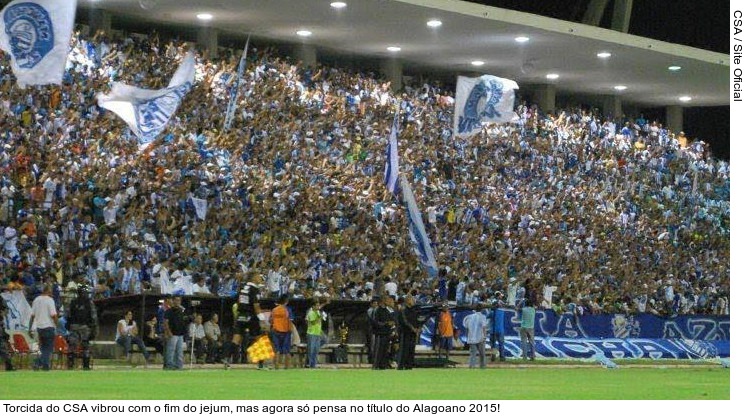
(37, 34)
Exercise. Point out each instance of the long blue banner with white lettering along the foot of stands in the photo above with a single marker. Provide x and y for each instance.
(613, 335)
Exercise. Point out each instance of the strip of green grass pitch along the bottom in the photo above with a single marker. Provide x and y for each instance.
(543, 382)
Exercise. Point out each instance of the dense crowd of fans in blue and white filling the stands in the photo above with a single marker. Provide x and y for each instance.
(571, 209)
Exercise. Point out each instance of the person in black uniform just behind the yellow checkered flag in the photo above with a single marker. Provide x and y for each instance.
(246, 320)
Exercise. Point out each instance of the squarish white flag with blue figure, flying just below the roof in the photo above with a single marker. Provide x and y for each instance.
(481, 100)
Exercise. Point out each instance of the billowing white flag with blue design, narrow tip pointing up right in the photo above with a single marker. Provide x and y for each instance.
(147, 112)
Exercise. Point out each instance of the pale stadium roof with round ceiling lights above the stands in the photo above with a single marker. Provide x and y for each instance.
(468, 33)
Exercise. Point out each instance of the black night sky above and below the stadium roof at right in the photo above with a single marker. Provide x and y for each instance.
(693, 23)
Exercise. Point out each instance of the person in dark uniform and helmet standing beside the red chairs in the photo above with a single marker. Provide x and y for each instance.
(82, 323)
